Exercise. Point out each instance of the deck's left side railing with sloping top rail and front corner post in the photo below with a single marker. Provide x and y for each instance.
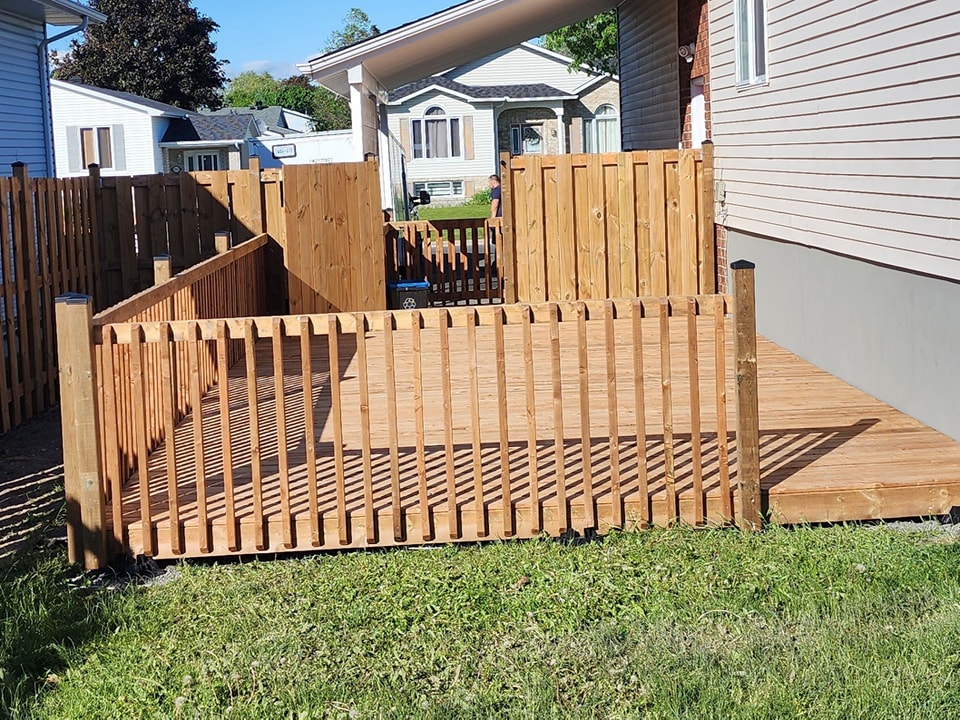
(143, 389)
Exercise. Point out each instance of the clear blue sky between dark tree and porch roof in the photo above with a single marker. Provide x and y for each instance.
(275, 35)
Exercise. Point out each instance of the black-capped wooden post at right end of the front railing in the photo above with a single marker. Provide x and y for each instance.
(748, 412)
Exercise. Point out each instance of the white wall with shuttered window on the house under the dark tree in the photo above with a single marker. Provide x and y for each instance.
(134, 153)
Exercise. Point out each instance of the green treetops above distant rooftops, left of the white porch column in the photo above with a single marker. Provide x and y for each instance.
(329, 112)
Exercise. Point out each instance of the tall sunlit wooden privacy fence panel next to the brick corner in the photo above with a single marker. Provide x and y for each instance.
(615, 225)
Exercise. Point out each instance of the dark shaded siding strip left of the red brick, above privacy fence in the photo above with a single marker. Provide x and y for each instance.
(650, 99)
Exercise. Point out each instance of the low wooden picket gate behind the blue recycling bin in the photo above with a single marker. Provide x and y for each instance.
(457, 257)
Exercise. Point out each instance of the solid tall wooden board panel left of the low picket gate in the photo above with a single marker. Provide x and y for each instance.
(334, 252)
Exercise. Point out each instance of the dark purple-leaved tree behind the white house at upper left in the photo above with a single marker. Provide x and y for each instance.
(159, 49)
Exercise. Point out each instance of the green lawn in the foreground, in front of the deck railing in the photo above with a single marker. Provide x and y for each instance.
(816, 623)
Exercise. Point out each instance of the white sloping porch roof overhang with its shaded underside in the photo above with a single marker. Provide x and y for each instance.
(460, 34)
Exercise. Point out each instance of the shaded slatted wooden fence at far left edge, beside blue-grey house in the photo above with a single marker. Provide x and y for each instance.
(47, 248)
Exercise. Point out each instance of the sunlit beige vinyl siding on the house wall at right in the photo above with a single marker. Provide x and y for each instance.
(853, 145)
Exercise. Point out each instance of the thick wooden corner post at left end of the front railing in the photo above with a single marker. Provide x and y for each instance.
(83, 464)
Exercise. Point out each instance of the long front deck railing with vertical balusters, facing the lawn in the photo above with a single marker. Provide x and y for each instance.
(379, 429)
